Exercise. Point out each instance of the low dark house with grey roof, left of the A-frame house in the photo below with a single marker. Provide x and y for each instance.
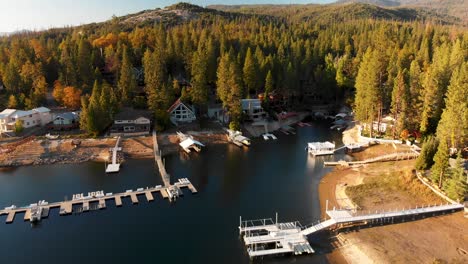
(131, 122)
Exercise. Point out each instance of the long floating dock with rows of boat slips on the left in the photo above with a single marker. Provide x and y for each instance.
(66, 207)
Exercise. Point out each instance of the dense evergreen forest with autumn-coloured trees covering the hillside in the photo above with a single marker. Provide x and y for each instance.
(415, 71)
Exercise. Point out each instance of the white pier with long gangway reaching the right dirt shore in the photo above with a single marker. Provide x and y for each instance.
(267, 237)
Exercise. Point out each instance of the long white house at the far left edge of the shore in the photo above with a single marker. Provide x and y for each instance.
(36, 117)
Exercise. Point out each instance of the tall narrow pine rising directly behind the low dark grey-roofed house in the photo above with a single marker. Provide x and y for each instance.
(127, 82)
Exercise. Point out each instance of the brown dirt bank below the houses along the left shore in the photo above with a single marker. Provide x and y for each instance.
(62, 151)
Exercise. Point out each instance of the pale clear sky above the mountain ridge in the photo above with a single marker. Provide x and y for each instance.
(42, 14)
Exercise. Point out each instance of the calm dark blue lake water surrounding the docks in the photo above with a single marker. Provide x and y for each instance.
(270, 176)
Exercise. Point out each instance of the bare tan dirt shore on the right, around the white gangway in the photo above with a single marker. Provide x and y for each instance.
(441, 239)
